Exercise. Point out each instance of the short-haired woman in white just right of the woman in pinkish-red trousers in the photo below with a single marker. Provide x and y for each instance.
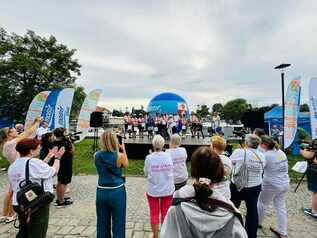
(179, 156)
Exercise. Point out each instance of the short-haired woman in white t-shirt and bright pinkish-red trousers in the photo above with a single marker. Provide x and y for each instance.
(158, 168)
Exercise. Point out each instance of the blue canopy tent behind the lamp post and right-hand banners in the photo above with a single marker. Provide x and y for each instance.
(274, 117)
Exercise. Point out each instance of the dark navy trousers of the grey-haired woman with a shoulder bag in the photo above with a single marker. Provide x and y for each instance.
(250, 196)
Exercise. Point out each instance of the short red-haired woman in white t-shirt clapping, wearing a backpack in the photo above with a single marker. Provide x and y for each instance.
(37, 224)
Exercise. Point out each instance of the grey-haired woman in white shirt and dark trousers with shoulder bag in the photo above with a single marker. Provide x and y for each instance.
(253, 161)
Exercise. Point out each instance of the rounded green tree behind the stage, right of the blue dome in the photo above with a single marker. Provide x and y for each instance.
(234, 109)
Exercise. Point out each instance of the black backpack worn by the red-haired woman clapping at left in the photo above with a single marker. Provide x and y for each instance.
(31, 196)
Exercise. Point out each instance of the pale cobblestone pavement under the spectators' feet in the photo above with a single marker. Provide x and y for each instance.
(79, 220)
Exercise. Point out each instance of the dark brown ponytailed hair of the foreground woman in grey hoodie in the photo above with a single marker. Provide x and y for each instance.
(207, 169)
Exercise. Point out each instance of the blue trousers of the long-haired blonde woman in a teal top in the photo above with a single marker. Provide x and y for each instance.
(111, 210)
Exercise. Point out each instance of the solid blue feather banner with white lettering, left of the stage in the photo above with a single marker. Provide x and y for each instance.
(48, 112)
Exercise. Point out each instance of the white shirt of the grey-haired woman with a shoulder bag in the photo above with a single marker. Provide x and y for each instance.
(255, 163)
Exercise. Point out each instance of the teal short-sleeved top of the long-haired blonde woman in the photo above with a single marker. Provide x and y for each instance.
(110, 175)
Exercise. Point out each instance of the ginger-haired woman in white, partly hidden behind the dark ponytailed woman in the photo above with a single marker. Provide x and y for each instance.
(218, 144)
